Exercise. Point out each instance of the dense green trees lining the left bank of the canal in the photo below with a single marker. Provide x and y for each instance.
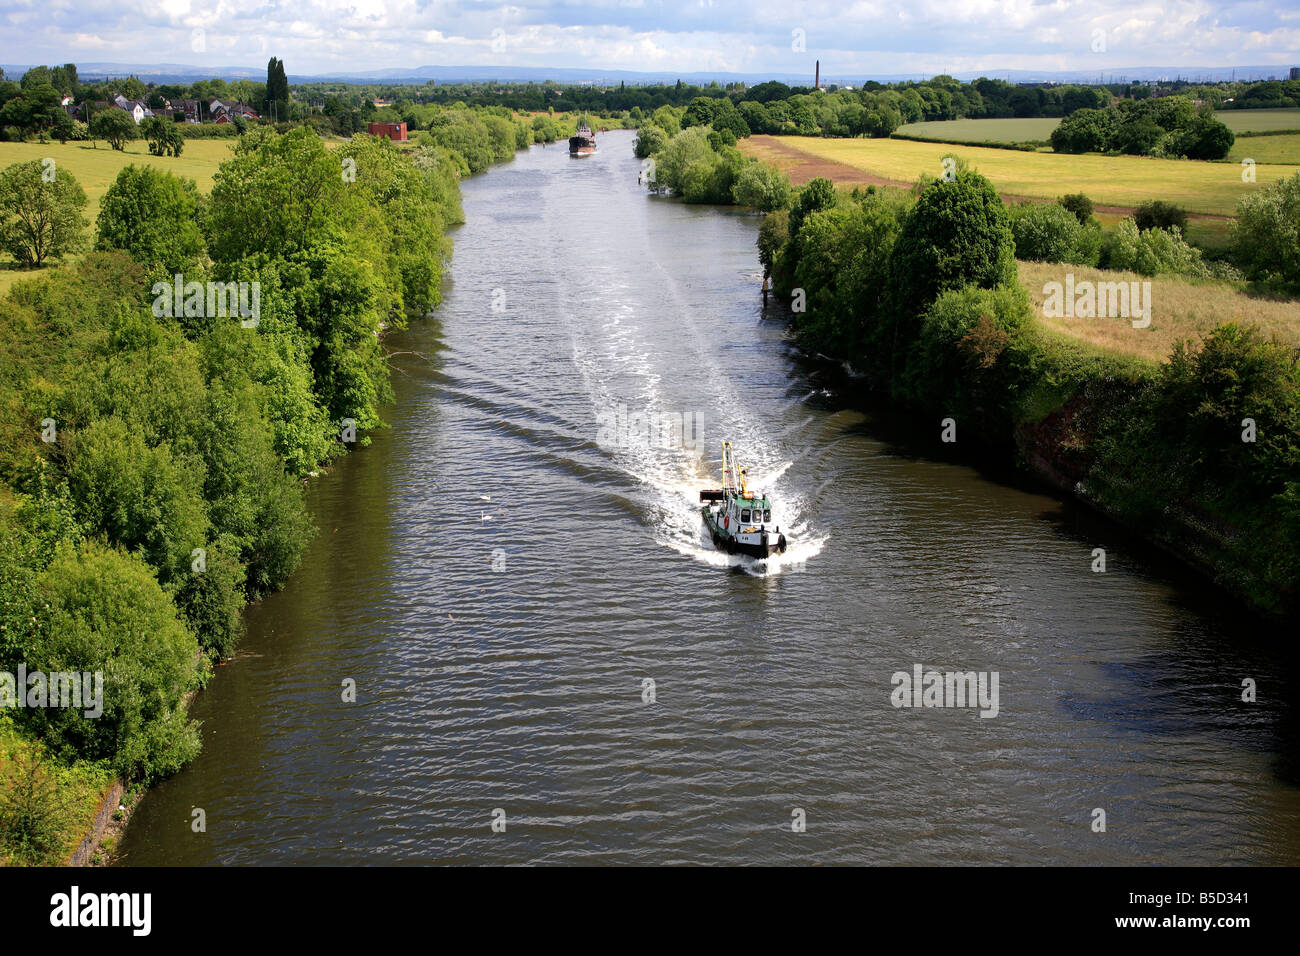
(153, 458)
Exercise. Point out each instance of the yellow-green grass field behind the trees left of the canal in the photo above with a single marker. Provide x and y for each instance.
(97, 168)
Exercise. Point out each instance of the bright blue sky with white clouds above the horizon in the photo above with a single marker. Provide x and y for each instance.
(850, 37)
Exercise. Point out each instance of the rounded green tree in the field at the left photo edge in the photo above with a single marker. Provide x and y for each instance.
(41, 213)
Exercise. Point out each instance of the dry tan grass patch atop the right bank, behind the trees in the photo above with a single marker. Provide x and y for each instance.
(1181, 310)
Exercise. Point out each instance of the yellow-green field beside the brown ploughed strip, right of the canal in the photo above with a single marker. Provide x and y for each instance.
(1126, 181)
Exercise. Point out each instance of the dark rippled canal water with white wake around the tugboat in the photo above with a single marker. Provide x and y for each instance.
(575, 295)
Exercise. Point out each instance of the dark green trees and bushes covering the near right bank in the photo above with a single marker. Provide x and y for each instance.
(920, 292)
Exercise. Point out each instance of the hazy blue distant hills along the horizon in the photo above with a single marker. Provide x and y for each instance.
(181, 73)
